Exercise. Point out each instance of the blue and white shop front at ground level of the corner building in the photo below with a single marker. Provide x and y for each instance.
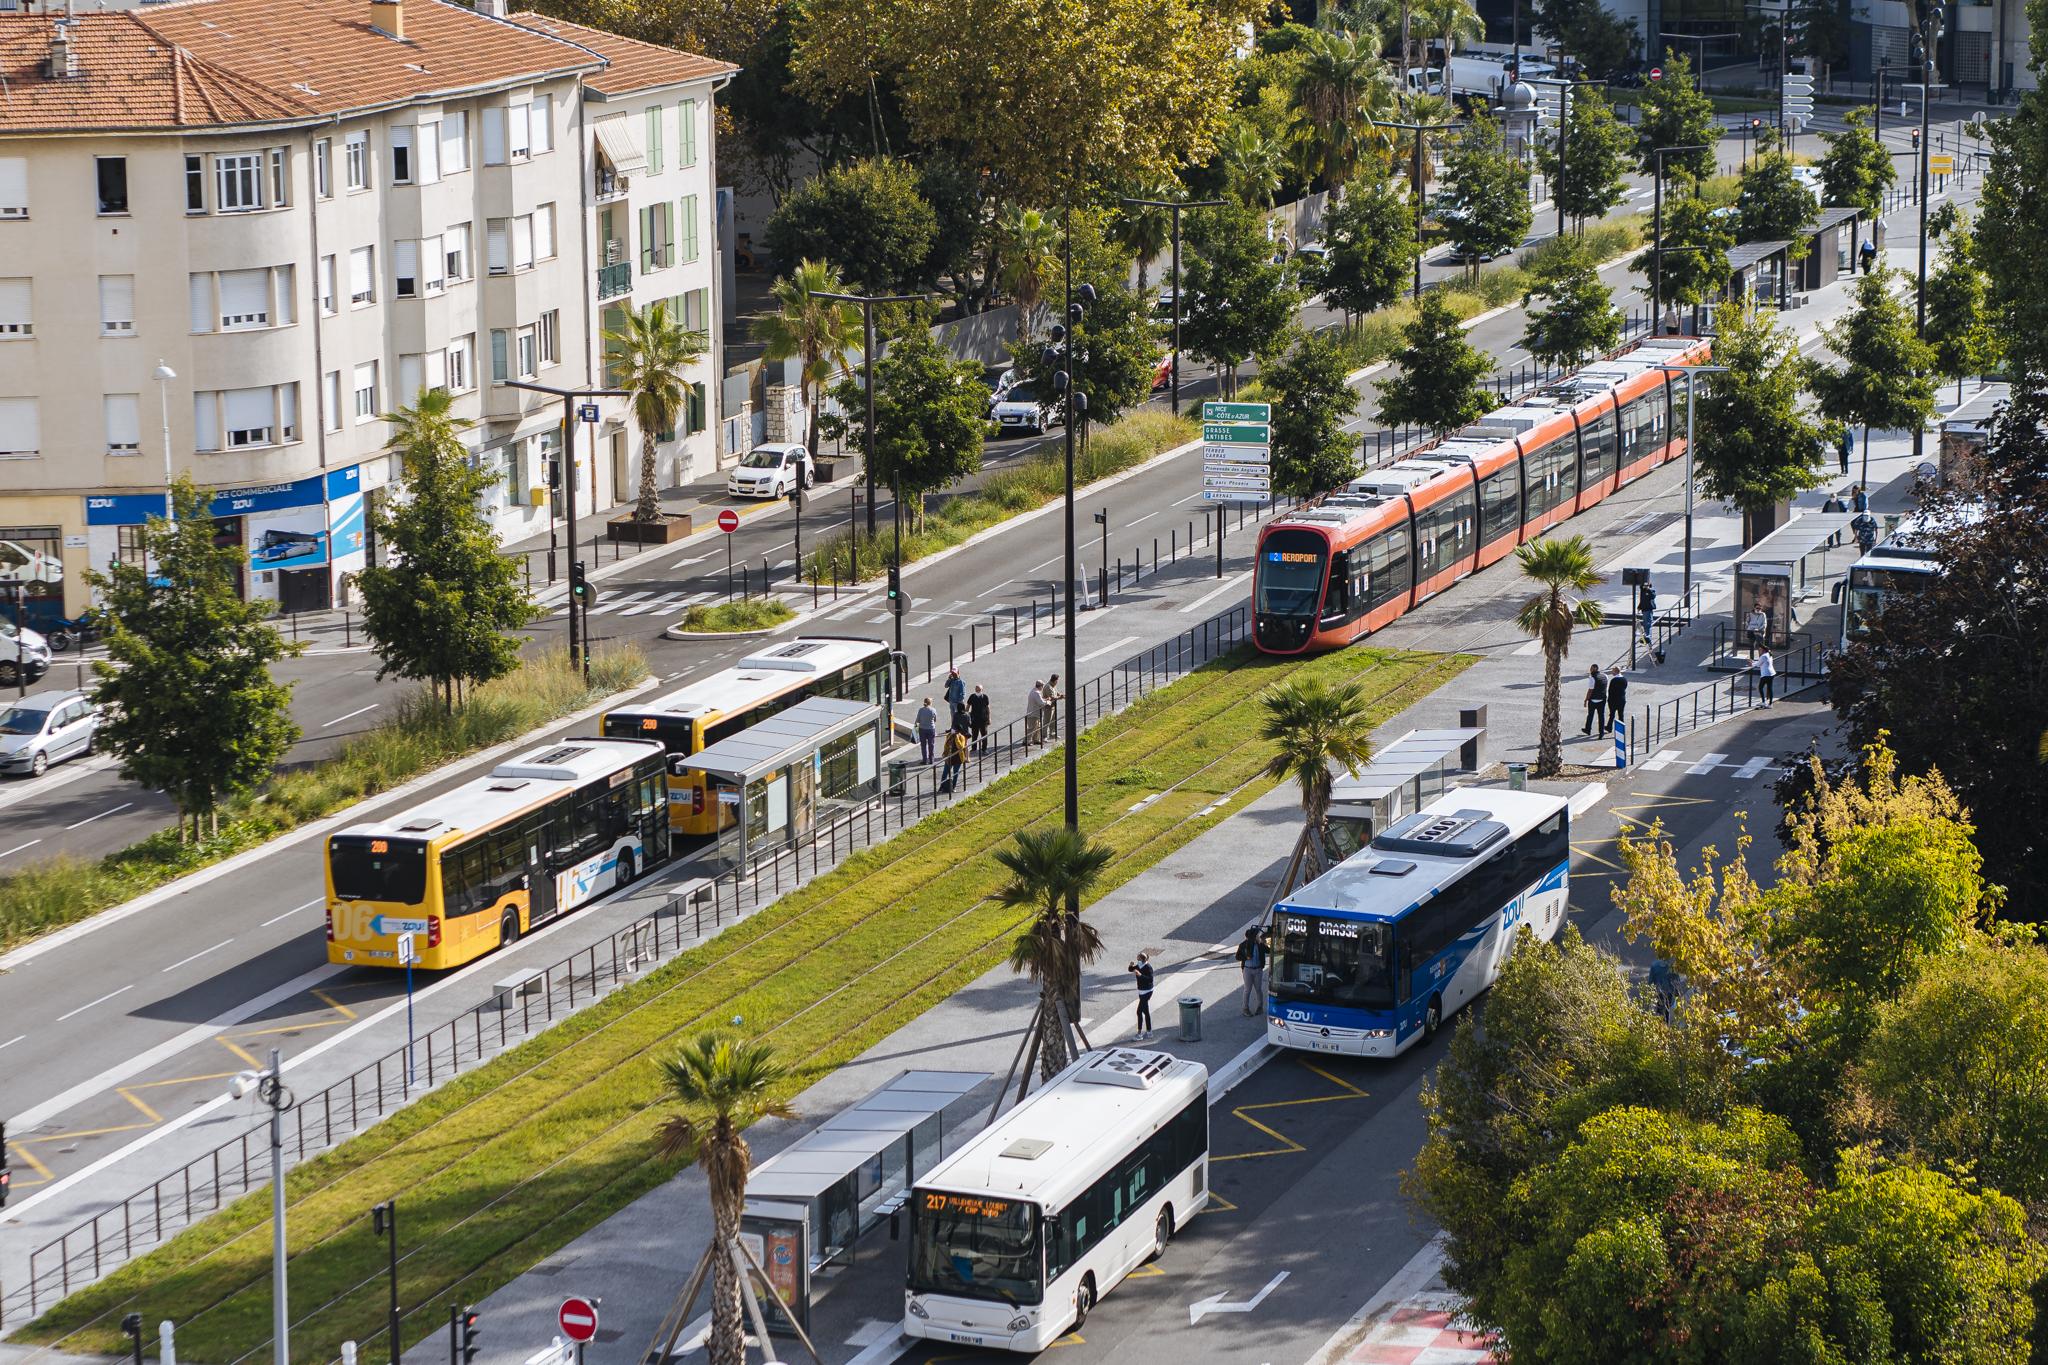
(302, 541)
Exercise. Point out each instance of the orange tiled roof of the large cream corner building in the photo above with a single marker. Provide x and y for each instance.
(226, 62)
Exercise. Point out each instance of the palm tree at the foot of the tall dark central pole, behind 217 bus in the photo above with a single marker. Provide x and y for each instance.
(1048, 869)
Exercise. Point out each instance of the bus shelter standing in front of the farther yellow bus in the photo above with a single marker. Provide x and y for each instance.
(785, 768)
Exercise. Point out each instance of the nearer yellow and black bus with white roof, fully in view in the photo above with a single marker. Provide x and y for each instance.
(482, 865)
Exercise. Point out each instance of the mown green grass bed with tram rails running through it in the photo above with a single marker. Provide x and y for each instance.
(505, 1165)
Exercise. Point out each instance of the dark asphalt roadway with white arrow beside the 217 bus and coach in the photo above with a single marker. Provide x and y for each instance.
(1308, 1153)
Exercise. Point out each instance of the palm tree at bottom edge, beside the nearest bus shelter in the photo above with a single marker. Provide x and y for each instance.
(724, 1086)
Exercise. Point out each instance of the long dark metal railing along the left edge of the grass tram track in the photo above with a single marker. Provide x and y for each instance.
(318, 1122)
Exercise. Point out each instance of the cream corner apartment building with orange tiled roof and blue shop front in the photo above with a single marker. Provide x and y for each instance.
(234, 234)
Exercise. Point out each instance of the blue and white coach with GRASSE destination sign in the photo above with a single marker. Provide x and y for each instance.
(1379, 951)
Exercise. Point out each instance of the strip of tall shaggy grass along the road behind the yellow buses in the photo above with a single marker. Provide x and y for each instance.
(419, 736)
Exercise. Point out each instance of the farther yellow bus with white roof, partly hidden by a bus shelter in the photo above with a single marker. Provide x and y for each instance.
(693, 719)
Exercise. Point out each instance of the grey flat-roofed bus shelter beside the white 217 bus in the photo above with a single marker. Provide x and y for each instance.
(810, 1204)
